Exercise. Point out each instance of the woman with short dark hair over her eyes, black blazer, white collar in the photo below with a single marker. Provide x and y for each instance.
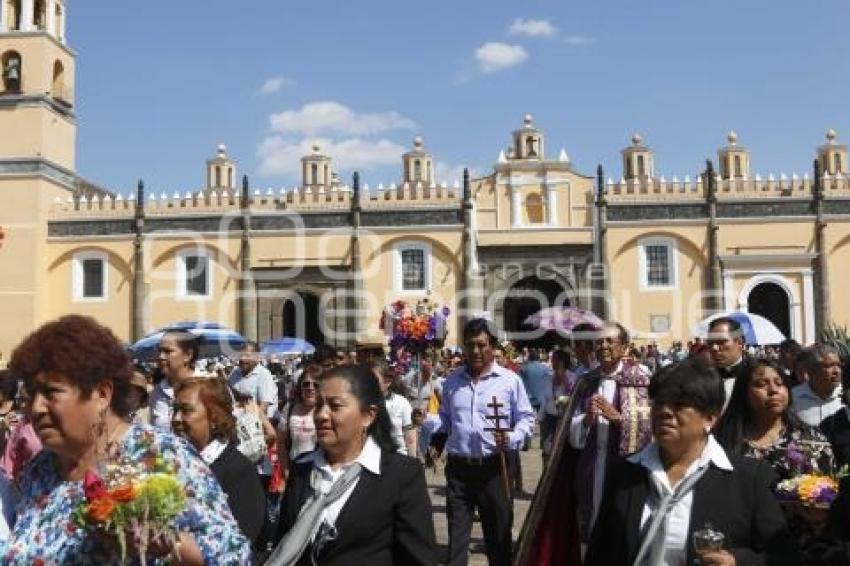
(683, 489)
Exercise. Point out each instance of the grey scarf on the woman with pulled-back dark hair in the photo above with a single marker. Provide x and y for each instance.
(290, 549)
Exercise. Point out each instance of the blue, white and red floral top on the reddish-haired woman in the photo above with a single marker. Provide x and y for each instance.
(45, 533)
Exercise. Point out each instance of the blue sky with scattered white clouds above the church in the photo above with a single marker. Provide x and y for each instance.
(161, 83)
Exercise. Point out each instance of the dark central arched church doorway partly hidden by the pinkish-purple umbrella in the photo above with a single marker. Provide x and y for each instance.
(526, 297)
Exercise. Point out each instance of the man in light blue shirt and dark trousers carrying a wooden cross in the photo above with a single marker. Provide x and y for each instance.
(473, 471)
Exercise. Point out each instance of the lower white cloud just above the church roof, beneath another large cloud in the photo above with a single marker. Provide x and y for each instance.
(279, 156)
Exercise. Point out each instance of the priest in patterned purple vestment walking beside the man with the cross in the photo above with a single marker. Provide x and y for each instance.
(609, 419)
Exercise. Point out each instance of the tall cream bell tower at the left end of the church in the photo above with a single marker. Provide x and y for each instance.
(37, 153)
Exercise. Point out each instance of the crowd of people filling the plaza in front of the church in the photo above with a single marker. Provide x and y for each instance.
(320, 459)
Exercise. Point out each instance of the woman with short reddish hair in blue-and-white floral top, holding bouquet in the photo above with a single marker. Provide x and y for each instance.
(77, 379)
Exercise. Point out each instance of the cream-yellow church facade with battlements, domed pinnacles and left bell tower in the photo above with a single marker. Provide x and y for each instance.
(323, 259)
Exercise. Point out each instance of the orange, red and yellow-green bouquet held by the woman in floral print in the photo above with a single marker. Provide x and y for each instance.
(136, 499)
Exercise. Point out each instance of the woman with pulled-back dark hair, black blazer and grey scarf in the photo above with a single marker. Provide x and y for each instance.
(354, 500)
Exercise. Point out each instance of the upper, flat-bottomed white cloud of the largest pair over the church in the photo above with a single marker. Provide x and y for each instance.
(334, 118)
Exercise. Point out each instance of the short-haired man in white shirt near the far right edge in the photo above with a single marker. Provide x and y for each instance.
(820, 396)
